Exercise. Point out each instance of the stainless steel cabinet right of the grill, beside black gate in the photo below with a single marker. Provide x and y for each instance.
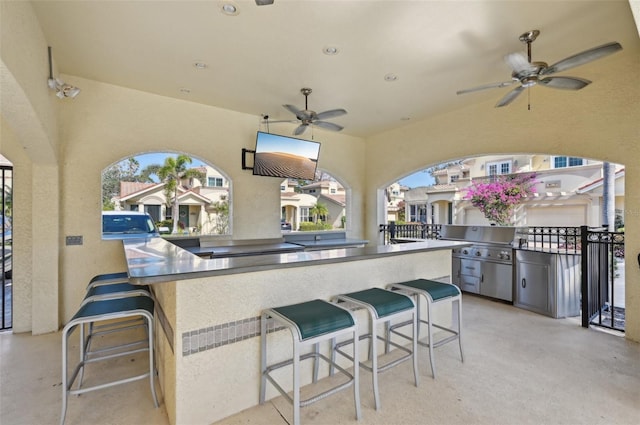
(548, 283)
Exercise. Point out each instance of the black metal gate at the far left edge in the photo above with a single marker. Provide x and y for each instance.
(6, 270)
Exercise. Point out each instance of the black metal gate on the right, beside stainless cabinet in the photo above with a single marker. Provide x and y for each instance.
(604, 252)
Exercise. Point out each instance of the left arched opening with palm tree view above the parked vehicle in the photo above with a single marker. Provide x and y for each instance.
(183, 194)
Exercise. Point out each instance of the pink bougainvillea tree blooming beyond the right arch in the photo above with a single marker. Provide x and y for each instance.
(498, 199)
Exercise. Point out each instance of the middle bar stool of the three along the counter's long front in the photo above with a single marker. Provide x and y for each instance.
(383, 306)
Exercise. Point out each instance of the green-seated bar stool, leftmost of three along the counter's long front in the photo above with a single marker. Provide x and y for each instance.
(309, 323)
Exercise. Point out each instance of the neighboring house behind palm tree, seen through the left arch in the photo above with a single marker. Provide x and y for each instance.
(196, 202)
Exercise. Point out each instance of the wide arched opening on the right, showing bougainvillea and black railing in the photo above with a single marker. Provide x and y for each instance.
(563, 196)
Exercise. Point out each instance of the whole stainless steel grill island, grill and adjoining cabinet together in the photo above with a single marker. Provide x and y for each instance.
(500, 264)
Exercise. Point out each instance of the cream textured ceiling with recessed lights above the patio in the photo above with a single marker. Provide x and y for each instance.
(259, 59)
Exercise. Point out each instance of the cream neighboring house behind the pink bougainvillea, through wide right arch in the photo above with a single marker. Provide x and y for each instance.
(569, 191)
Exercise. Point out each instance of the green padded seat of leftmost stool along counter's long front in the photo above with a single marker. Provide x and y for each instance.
(317, 317)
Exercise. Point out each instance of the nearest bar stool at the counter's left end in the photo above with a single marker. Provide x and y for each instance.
(94, 309)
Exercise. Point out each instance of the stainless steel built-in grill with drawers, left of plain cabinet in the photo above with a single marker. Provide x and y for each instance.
(486, 267)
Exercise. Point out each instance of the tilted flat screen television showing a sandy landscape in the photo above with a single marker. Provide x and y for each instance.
(285, 157)
